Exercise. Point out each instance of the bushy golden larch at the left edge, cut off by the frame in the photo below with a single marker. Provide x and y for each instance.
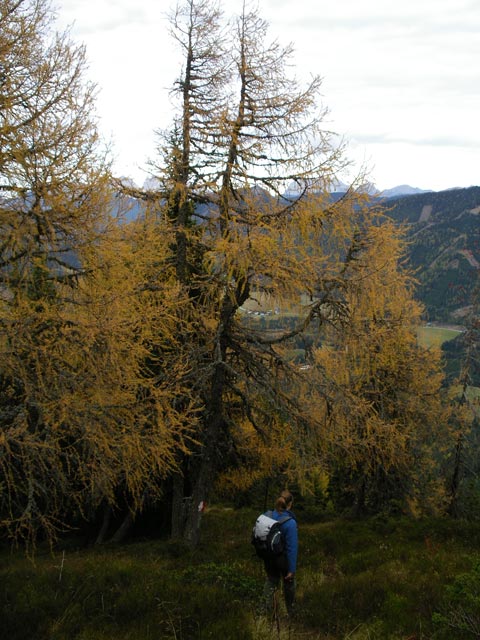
(86, 407)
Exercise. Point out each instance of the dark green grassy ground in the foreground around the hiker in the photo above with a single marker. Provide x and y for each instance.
(375, 579)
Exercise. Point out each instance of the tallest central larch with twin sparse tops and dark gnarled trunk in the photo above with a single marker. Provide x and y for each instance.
(246, 134)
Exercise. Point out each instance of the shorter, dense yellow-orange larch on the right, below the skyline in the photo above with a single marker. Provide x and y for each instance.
(381, 399)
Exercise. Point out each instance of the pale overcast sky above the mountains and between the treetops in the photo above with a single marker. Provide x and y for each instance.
(401, 78)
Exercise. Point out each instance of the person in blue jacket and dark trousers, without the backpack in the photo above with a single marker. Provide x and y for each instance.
(283, 568)
